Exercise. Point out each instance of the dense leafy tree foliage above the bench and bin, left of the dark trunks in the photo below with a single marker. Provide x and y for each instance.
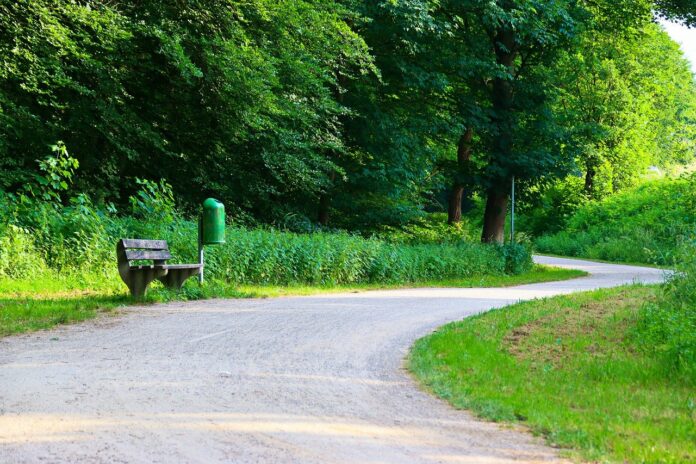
(236, 98)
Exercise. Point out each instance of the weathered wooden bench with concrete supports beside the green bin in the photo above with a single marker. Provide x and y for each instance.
(138, 277)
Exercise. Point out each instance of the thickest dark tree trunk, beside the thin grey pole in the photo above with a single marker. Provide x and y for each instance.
(503, 101)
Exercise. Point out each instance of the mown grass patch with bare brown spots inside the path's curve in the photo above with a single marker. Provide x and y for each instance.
(570, 369)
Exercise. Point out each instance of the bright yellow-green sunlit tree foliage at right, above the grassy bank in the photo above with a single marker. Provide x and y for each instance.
(629, 101)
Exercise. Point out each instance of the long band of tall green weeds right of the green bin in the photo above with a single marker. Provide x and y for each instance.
(271, 257)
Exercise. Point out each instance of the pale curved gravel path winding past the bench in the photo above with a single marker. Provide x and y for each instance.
(307, 379)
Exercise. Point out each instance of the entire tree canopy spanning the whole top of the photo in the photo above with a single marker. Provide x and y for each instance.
(346, 113)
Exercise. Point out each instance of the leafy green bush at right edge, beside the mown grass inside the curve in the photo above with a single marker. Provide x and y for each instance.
(668, 326)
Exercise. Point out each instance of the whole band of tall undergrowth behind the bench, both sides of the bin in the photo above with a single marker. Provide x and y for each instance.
(41, 236)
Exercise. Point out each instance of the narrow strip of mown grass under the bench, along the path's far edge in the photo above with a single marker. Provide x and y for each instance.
(27, 305)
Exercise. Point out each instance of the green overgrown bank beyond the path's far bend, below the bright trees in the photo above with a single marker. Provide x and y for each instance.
(641, 225)
